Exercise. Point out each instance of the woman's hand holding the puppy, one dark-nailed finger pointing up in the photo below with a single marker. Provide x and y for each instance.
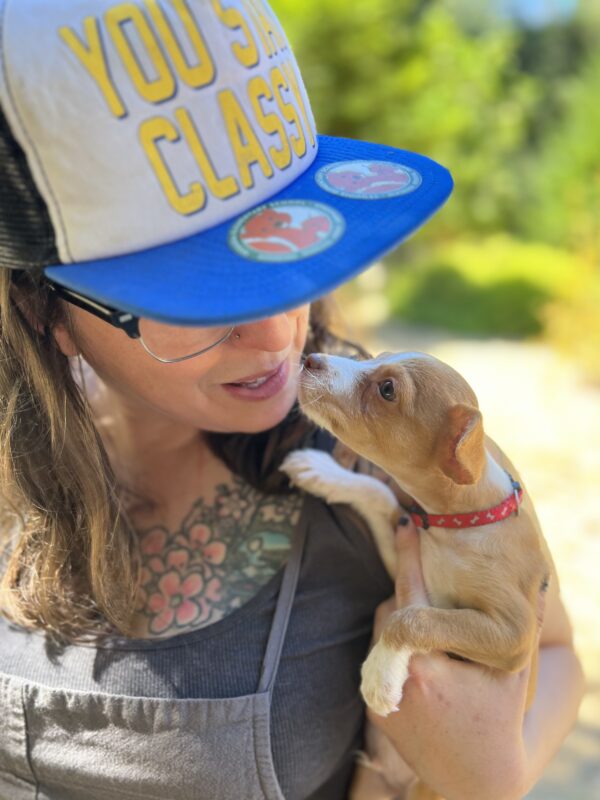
(459, 725)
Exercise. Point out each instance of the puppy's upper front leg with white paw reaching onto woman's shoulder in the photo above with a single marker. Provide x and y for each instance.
(318, 473)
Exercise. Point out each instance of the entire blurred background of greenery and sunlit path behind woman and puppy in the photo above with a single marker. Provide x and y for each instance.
(504, 283)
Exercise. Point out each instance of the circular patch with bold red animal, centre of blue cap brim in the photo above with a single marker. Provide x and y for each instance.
(286, 230)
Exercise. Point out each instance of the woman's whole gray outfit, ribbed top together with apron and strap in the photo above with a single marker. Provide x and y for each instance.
(263, 705)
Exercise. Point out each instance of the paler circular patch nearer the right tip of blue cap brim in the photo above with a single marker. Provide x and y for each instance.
(368, 180)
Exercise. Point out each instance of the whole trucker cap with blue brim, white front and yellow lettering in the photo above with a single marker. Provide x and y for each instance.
(161, 157)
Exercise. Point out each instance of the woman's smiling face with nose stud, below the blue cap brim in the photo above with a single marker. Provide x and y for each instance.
(194, 392)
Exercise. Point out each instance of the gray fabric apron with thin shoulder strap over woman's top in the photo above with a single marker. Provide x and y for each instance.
(68, 745)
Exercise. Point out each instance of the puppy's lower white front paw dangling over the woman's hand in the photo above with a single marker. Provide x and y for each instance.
(383, 676)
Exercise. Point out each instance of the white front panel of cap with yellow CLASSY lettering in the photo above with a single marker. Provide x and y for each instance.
(150, 121)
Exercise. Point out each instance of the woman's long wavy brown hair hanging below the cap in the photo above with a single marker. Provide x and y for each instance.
(69, 557)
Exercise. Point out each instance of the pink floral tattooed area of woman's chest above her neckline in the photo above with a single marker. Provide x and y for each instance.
(221, 553)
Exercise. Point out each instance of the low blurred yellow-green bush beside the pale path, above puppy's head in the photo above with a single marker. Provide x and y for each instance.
(484, 286)
